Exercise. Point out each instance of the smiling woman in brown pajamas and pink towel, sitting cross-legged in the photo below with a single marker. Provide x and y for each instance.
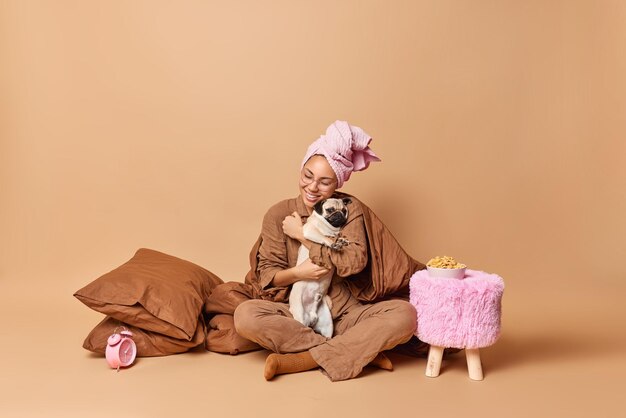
(362, 331)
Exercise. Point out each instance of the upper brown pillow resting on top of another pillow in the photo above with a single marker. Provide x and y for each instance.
(153, 291)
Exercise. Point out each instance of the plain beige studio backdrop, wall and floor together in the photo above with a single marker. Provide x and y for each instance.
(175, 125)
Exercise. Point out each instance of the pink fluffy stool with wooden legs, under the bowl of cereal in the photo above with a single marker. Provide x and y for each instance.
(460, 313)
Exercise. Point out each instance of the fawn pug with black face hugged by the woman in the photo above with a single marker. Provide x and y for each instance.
(308, 302)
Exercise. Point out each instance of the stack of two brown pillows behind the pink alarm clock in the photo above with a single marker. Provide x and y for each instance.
(158, 297)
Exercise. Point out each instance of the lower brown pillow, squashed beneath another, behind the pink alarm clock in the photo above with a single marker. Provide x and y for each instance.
(148, 343)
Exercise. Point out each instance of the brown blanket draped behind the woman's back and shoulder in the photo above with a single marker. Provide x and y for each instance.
(386, 275)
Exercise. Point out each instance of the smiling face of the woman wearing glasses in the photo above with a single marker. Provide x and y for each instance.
(317, 181)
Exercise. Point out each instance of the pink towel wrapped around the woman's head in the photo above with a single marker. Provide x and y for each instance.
(346, 147)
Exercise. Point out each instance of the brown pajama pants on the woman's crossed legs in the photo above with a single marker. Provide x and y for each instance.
(361, 332)
